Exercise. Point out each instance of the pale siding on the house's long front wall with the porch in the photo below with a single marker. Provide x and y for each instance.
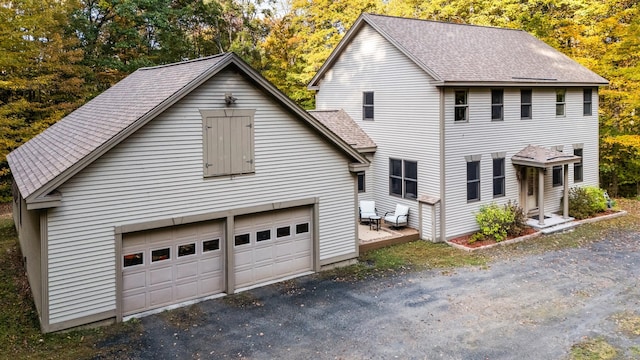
(481, 136)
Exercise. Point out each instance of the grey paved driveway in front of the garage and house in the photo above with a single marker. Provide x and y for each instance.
(531, 307)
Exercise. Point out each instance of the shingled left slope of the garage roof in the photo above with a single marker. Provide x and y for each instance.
(63, 144)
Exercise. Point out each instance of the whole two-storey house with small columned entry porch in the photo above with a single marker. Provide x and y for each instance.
(463, 116)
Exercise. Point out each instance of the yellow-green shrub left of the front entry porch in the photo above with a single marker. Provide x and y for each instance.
(499, 222)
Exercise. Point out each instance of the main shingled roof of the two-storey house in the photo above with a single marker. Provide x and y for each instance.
(458, 54)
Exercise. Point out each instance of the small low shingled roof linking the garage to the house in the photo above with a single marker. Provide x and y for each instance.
(343, 125)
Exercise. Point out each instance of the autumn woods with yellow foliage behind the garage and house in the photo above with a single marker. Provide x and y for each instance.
(57, 54)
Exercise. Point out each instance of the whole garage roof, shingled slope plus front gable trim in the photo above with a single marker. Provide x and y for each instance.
(49, 159)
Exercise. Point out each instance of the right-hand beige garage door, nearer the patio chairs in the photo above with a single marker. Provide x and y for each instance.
(273, 245)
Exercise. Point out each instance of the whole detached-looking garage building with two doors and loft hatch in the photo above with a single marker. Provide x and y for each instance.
(180, 183)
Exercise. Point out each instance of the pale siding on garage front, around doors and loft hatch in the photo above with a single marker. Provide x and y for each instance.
(157, 174)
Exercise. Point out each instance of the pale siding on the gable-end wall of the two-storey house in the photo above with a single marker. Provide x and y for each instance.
(406, 113)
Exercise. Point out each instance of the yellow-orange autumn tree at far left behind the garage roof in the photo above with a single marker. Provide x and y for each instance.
(41, 78)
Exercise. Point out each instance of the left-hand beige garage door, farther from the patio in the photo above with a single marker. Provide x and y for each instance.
(171, 265)
